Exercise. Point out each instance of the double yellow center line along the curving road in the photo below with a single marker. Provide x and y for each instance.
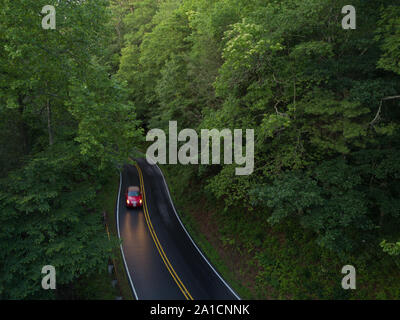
(157, 242)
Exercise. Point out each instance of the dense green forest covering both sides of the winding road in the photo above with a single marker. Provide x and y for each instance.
(323, 101)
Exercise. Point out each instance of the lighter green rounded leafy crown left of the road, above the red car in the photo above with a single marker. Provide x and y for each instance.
(108, 128)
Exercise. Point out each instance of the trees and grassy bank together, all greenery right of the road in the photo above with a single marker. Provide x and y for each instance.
(324, 104)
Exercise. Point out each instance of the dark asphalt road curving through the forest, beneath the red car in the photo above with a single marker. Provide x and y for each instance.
(161, 259)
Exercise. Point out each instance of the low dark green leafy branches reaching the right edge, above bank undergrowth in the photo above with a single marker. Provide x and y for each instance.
(337, 199)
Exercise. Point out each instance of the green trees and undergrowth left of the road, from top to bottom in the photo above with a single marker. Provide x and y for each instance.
(65, 125)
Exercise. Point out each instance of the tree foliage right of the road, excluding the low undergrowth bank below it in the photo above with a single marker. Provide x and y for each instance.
(324, 103)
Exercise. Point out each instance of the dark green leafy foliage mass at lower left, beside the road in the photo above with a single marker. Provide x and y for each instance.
(49, 216)
